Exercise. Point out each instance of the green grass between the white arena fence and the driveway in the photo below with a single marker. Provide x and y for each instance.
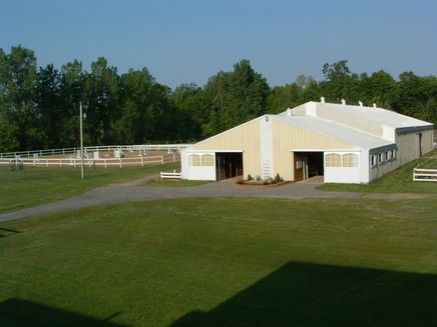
(36, 185)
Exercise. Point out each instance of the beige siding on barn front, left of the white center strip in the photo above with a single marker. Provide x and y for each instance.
(244, 137)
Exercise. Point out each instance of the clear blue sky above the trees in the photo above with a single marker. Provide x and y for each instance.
(189, 41)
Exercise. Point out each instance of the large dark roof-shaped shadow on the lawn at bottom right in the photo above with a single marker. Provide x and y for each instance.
(307, 294)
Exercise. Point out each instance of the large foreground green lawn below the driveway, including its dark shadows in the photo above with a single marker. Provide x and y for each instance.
(222, 262)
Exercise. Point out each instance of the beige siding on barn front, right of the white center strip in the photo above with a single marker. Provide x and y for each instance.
(287, 137)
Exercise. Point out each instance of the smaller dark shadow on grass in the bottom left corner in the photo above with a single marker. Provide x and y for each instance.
(18, 312)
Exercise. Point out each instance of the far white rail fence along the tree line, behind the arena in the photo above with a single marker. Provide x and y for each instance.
(137, 147)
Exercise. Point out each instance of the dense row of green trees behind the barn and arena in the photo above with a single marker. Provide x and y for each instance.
(39, 105)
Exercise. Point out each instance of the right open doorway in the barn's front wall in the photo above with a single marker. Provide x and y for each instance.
(308, 165)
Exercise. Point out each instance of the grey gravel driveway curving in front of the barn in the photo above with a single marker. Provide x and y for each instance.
(135, 191)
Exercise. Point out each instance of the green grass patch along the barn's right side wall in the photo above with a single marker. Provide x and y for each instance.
(398, 181)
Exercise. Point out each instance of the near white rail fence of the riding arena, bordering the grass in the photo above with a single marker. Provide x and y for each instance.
(97, 162)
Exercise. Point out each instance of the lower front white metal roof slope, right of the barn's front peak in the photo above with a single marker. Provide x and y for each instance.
(328, 128)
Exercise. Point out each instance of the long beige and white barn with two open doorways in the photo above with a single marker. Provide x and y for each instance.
(343, 143)
